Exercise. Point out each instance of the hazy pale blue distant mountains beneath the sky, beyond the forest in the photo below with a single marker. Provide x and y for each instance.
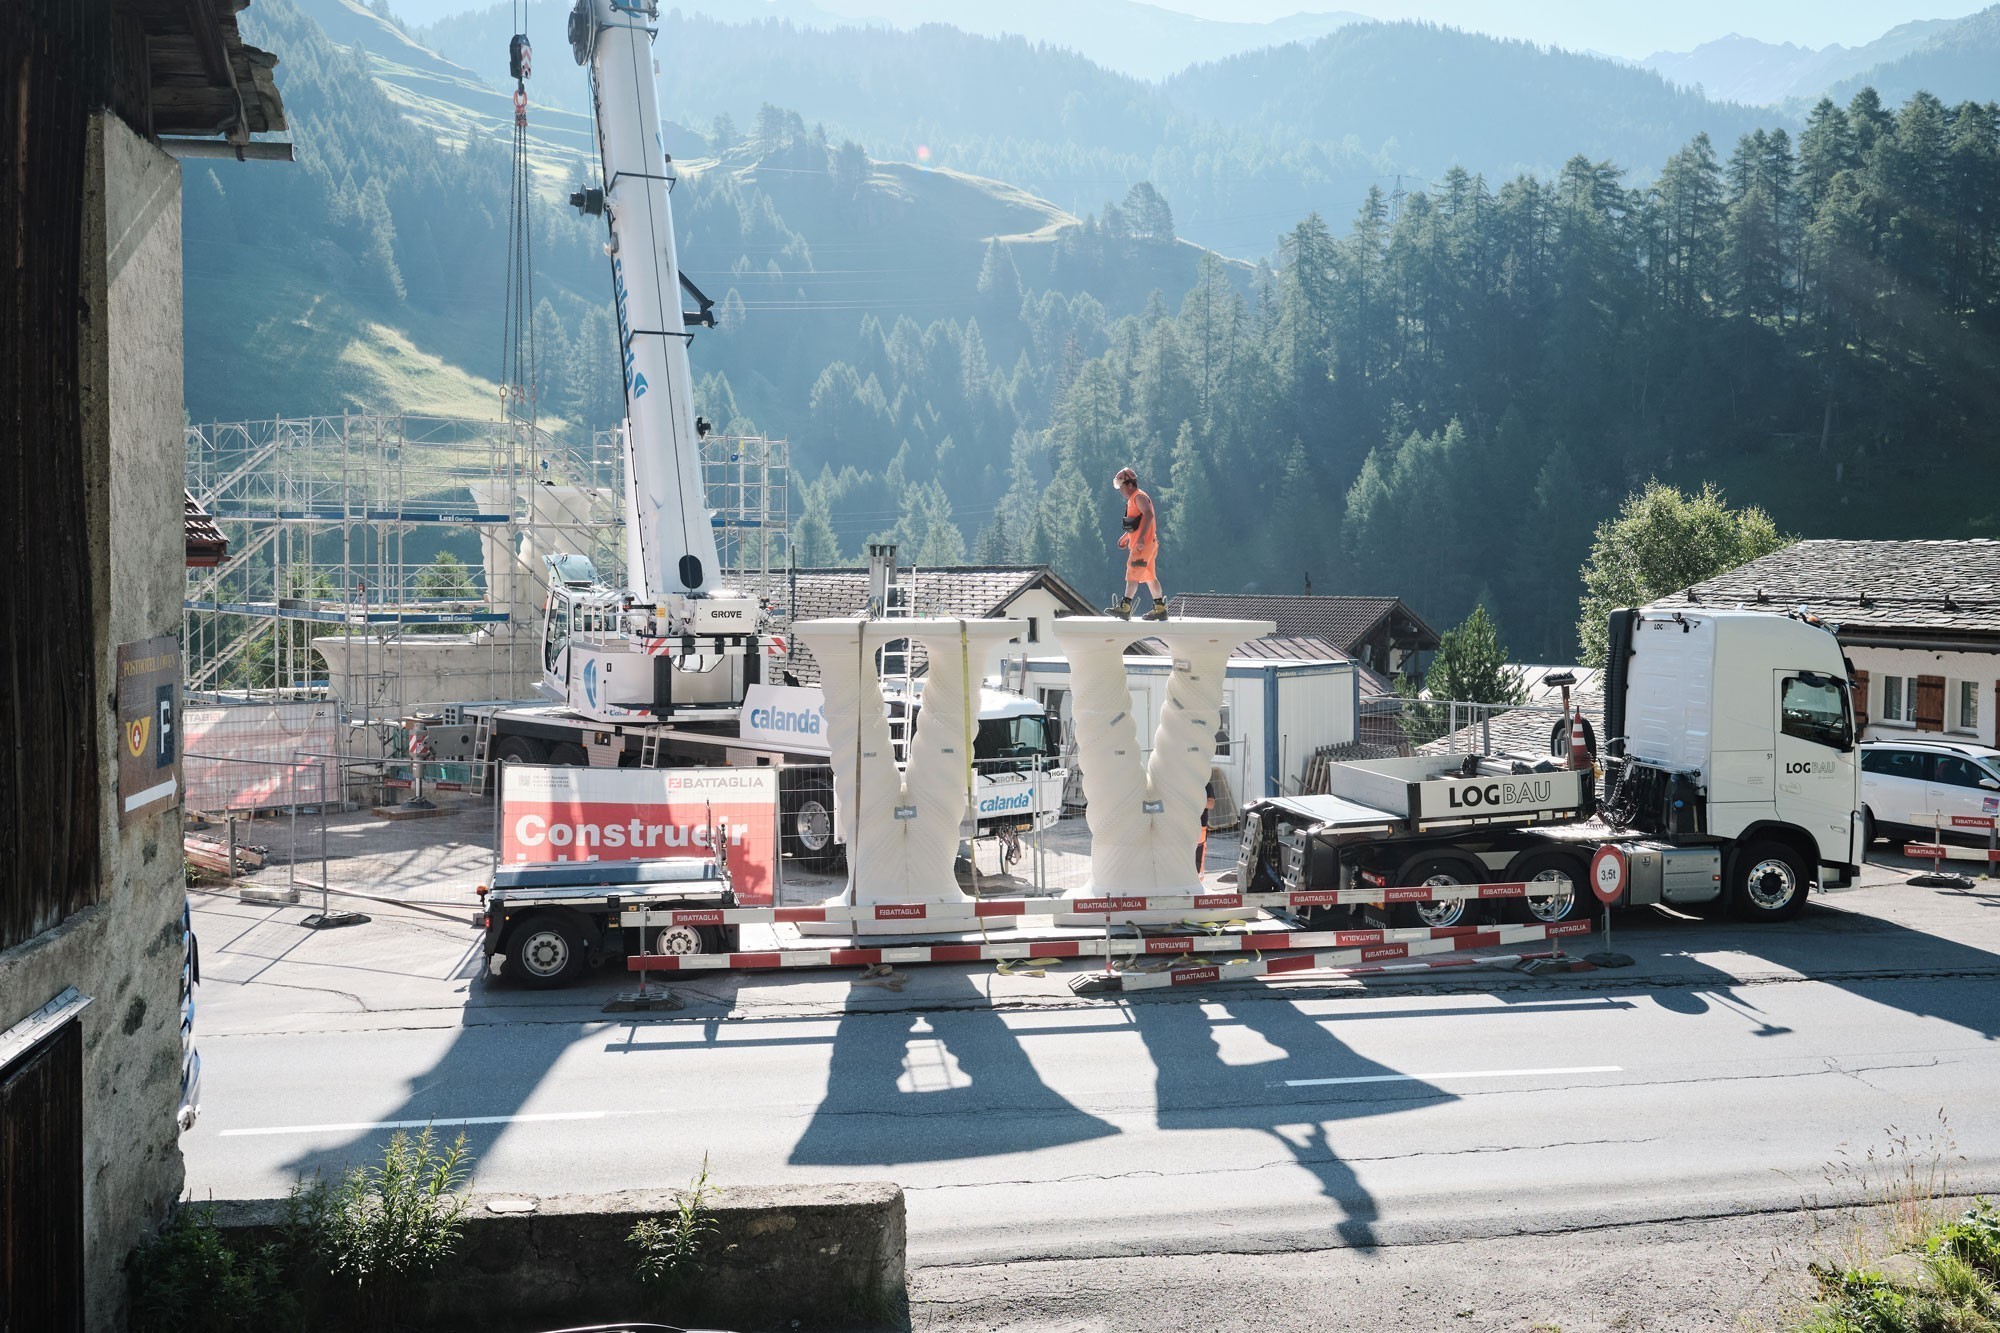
(1241, 147)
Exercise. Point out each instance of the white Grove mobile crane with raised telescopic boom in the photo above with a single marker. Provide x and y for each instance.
(671, 670)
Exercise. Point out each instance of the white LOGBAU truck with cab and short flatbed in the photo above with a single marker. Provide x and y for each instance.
(1729, 780)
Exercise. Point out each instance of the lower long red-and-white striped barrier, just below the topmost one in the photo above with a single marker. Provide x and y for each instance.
(1147, 946)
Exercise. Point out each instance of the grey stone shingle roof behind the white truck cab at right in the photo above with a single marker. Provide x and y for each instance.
(1919, 591)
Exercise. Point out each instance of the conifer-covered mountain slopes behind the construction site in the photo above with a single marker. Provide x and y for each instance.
(1439, 395)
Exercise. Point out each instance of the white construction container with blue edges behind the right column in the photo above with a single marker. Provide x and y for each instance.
(1275, 714)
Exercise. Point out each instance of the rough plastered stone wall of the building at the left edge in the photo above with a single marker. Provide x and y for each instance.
(125, 952)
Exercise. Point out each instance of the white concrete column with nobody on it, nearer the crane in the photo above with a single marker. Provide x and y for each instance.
(903, 828)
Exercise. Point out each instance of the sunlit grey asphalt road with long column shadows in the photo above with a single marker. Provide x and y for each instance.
(1733, 1070)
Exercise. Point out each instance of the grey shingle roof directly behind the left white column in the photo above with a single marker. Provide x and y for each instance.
(969, 591)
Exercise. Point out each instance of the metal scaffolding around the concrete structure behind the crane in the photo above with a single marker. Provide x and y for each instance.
(335, 525)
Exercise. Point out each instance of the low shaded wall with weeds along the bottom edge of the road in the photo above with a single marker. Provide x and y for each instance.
(783, 1258)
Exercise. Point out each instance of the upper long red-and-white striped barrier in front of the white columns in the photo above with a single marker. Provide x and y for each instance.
(977, 910)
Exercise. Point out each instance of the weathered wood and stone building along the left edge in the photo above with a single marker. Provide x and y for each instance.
(101, 95)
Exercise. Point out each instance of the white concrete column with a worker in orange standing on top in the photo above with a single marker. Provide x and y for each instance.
(1147, 812)
